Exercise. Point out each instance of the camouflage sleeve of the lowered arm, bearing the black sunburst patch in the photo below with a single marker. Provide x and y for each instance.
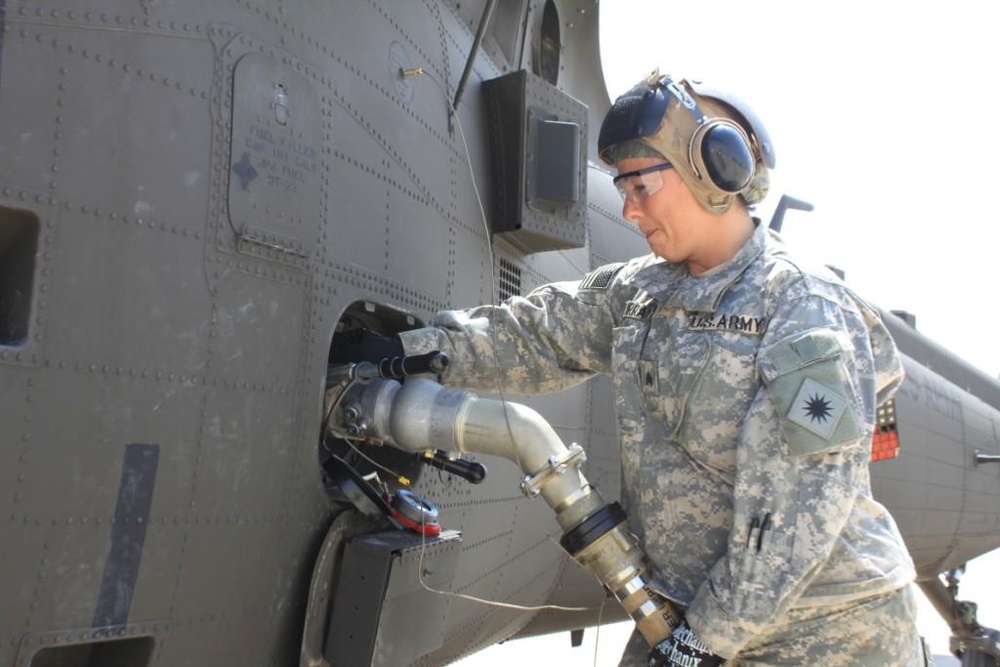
(801, 464)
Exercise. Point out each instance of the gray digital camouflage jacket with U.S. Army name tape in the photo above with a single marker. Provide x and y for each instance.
(745, 401)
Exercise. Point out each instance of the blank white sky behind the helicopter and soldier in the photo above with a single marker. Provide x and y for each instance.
(883, 115)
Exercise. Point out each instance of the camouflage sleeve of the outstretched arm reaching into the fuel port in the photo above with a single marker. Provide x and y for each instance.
(556, 337)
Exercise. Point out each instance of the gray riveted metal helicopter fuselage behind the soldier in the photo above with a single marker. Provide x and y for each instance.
(194, 198)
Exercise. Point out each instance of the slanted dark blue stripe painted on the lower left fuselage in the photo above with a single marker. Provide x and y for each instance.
(128, 534)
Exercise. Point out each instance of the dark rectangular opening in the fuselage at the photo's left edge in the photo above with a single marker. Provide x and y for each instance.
(18, 247)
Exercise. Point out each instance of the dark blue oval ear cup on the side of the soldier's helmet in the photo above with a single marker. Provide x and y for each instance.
(720, 151)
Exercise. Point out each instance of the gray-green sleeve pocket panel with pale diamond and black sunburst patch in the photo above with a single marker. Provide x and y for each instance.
(808, 383)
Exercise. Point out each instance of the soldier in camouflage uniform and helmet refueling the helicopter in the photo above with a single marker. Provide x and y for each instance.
(746, 386)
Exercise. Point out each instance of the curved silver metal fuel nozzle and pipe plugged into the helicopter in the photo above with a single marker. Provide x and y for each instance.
(420, 415)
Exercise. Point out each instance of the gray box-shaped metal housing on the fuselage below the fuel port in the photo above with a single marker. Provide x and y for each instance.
(382, 614)
